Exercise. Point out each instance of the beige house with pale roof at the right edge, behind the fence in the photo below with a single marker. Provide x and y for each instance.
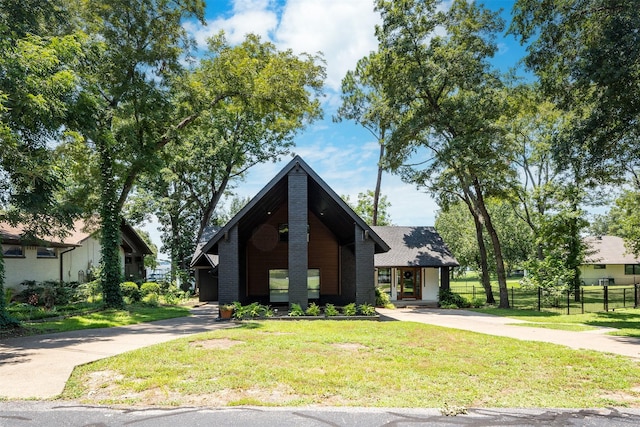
(609, 263)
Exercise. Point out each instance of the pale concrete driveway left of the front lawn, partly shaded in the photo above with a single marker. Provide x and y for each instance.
(39, 366)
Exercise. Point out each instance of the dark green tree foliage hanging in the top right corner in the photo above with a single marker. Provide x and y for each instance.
(586, 54)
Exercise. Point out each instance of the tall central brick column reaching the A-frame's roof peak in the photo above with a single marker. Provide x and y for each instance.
(298, 244)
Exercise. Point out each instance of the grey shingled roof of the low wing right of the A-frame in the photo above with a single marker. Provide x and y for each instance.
(413, 246)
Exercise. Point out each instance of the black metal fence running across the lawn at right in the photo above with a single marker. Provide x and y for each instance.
(592, 299)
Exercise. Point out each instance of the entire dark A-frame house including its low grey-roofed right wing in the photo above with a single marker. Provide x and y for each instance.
(297, 241)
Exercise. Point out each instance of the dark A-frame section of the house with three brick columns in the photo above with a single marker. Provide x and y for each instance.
(297, 241)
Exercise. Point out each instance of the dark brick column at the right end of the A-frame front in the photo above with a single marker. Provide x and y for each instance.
(365, 250)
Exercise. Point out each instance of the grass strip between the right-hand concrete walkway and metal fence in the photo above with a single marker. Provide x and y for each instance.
(626, 322)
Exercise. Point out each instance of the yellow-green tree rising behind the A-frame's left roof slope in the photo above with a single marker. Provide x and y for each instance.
(275, 94)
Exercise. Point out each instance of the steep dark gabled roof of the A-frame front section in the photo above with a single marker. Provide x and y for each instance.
(323, 202)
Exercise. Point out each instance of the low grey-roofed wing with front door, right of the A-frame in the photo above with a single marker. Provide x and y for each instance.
(417, 265)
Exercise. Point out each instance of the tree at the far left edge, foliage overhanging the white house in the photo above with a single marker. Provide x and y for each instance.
(36, 89)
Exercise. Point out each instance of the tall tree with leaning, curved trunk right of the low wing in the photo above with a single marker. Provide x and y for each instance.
(437, 74)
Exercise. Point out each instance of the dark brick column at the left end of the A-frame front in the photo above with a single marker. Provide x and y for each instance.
(229, 268)
